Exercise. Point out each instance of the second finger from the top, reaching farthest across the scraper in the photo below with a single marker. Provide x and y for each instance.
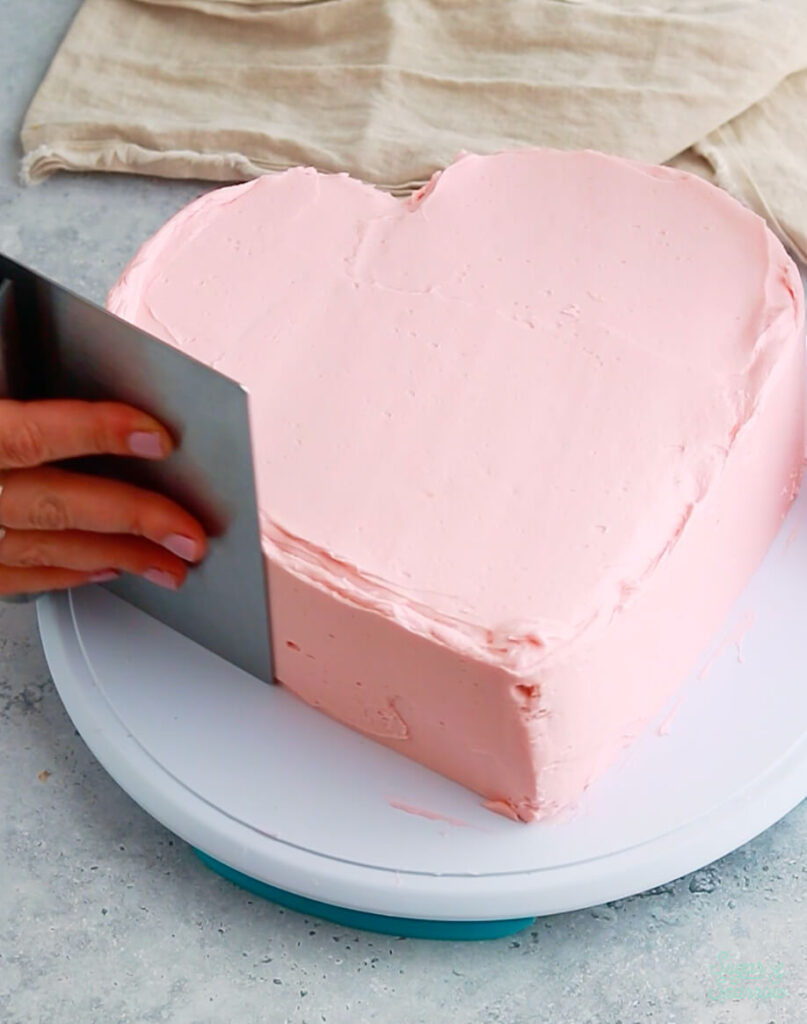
(55, 500)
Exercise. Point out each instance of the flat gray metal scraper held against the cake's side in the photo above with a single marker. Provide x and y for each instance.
(57, 346)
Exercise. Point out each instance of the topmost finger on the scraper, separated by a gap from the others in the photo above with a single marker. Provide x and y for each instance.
(36, 433)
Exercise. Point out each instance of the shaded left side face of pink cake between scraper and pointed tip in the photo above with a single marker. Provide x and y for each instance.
(454, 714)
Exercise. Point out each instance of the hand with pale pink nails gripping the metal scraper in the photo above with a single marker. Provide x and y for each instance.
(61, 529)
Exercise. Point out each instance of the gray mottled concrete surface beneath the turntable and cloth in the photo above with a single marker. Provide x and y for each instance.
(106, 918)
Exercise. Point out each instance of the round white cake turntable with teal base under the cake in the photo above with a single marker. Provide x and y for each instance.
(298, 808)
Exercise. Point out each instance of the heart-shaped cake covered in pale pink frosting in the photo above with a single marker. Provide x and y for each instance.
(521, 442)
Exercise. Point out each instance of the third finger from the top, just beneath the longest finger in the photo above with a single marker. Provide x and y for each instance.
(92, 553)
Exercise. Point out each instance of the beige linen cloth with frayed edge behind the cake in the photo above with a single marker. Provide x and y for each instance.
(392, 91)
